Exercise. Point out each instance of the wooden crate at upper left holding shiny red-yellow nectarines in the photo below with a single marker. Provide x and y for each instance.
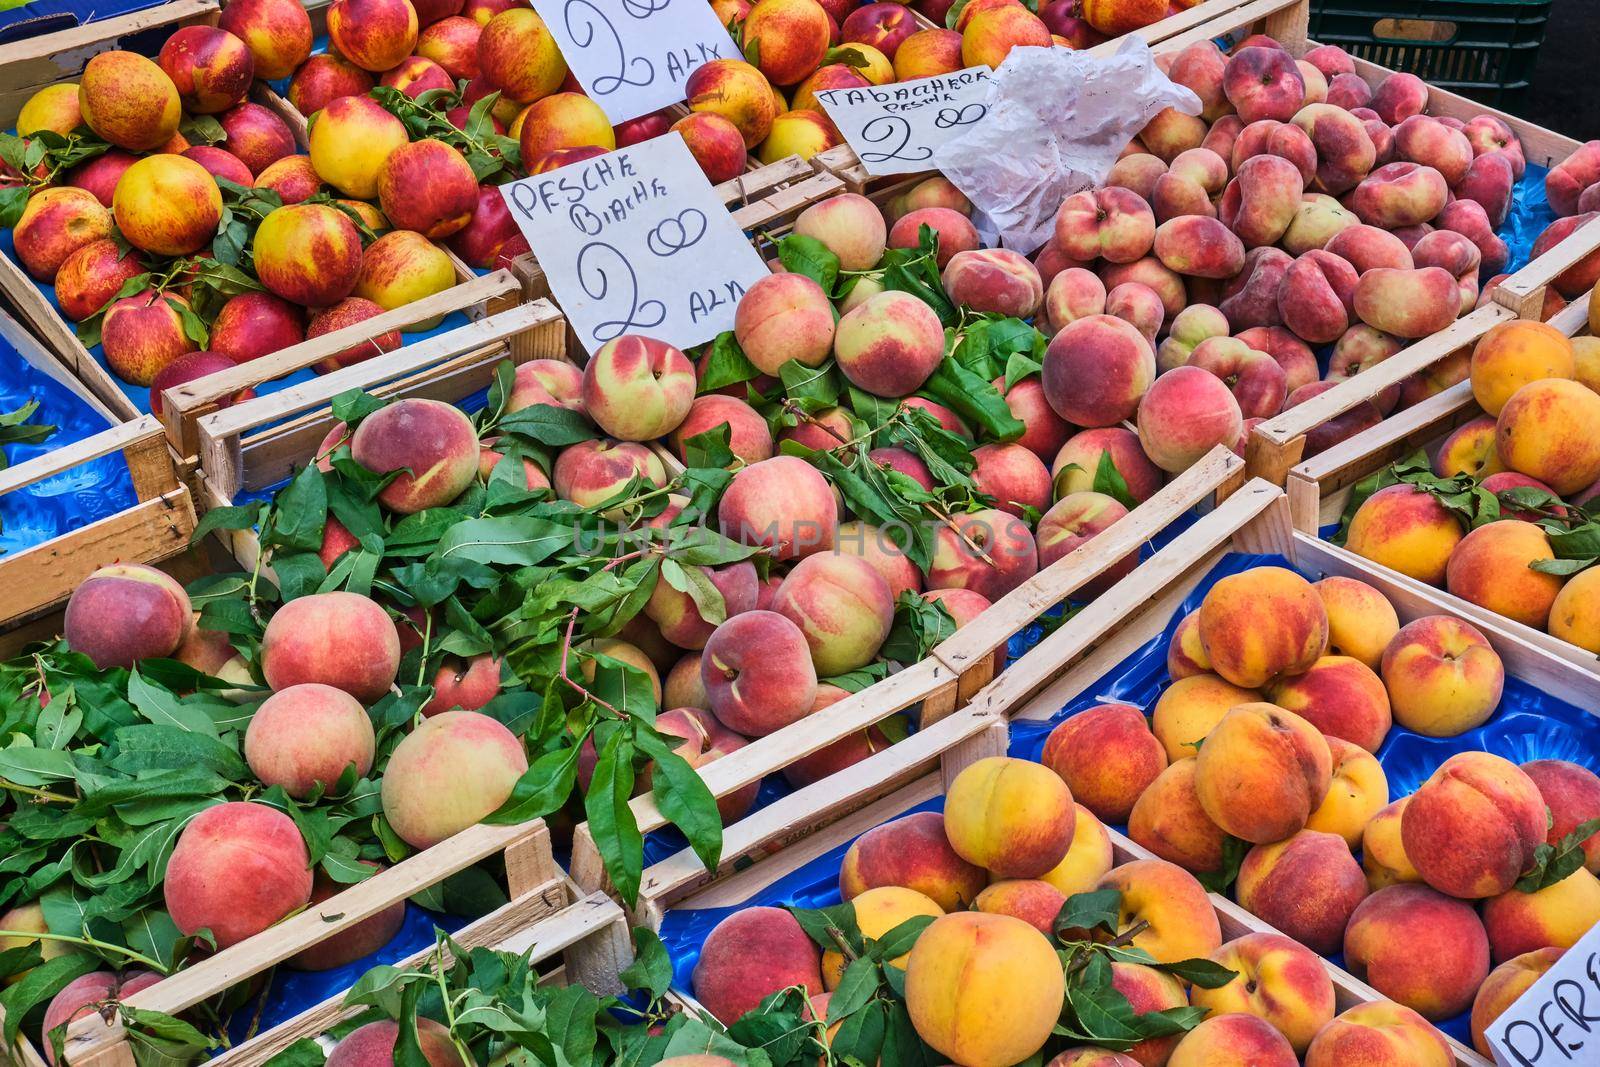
(34, 63)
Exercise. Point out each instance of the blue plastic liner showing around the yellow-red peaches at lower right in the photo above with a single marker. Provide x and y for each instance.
(1529, 725)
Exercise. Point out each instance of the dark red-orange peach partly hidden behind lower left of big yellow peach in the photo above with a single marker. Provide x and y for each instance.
(914, 853)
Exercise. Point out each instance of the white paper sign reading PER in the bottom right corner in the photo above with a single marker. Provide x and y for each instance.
(1558, 1020)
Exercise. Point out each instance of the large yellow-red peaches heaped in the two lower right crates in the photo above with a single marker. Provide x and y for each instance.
(1226, 767)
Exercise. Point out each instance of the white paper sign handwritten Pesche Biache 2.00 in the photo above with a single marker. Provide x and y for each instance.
(638, 242)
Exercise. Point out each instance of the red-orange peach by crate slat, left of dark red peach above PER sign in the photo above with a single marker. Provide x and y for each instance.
(1306, 887)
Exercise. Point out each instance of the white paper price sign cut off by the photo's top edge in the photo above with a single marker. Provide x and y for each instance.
(633, 57)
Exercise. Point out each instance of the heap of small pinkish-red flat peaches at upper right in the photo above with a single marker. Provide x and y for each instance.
(1303, 218)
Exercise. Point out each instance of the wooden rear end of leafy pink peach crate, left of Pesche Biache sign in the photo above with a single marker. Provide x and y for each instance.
(255, 446)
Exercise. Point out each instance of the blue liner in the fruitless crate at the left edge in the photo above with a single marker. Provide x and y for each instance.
(73, 498)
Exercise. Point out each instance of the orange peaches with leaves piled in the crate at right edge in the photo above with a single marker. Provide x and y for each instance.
(1535, 439)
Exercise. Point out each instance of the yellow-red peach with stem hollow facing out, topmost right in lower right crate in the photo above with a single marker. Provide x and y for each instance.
(1444, 677)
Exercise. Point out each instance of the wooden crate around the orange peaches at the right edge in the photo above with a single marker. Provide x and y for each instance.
(1321, 489)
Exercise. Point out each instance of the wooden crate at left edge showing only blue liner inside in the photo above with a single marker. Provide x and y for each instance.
(159, 527)
